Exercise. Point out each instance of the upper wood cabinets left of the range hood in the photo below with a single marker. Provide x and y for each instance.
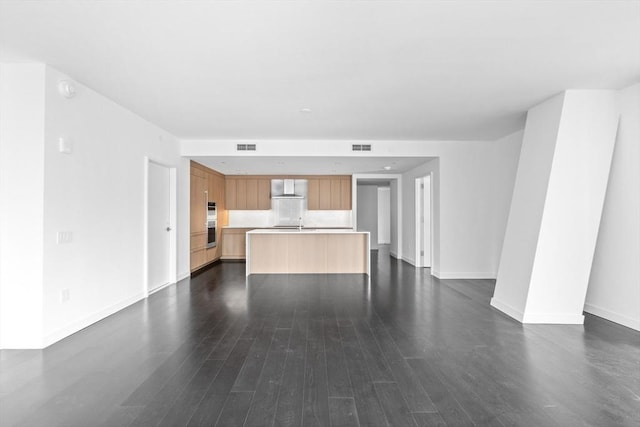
(248, 193)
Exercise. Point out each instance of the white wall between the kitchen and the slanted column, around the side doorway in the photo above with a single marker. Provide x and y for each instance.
(472, 186)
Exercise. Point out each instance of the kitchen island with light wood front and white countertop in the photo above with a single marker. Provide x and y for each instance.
(307, 251)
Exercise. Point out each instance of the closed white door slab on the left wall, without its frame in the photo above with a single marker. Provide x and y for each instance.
(159, 223)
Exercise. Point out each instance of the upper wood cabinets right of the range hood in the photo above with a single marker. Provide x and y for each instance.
(329, 193)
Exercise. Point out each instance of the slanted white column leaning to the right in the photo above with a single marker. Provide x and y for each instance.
(556, 207)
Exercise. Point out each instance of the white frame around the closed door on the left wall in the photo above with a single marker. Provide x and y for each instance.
(173, 252)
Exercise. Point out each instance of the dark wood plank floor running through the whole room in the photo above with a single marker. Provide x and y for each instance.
(340, 350)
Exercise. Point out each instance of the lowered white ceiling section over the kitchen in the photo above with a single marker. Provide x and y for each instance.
(310, 166)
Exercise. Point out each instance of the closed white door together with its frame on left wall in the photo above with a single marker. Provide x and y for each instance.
(160, 252)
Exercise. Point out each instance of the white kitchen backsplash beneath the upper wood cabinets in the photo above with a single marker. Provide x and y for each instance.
(310, 218)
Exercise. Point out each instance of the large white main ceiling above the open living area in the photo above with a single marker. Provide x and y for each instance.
(407, 70)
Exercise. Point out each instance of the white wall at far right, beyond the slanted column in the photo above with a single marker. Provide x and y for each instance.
(614, 285)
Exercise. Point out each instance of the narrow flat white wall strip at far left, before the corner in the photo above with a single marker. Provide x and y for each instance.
(21, 204)
